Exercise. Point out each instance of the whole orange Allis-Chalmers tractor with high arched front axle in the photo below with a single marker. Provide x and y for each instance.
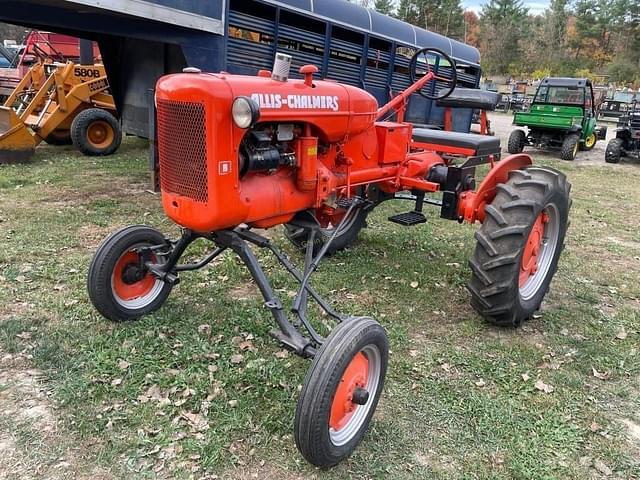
(239, 153)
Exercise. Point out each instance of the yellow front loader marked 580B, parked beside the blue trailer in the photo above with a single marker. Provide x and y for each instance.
(59, 103)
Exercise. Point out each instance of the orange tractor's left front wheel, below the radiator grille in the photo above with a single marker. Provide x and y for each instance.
(117, 287)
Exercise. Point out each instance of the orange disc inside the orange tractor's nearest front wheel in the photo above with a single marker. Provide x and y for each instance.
(343, 407)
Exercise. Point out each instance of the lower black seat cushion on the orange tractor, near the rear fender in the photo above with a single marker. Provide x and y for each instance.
(480, 145)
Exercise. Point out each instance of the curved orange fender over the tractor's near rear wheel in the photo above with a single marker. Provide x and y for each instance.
(472, 204)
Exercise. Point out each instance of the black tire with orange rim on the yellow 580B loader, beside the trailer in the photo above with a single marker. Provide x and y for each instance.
(96, 132)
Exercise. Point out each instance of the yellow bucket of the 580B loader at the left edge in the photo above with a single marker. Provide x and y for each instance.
(17, 143)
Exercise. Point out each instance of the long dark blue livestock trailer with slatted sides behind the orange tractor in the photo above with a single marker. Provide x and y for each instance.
(143, 39)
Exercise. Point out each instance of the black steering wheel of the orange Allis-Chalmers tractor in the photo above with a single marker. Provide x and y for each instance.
(423, 63)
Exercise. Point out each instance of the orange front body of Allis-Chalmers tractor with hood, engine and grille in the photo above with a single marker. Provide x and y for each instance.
(255, 150)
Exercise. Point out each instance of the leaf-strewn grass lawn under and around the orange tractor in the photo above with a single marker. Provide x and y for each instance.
(200, 389)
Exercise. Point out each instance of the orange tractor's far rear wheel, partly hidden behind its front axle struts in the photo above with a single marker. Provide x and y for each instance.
(329, 221)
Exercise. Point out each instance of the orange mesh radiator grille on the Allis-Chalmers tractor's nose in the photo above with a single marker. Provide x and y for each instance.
(182, 146)
